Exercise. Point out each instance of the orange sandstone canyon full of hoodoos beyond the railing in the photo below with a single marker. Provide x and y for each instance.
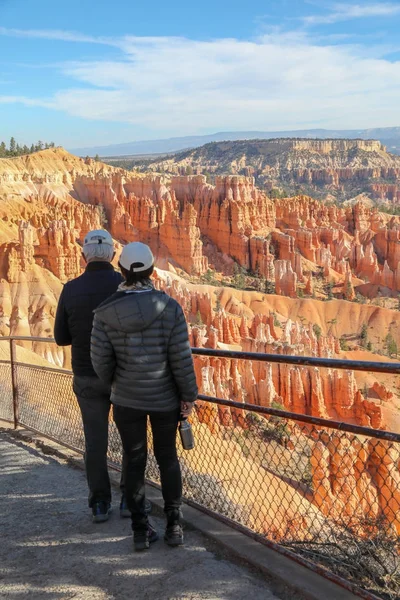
(309, 261)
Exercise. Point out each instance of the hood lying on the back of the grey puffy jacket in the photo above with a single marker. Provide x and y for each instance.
(132, 311)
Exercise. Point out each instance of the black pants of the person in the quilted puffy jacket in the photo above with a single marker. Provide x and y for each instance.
(132, 426)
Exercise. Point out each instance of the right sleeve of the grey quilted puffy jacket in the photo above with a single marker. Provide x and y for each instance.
(180, 358)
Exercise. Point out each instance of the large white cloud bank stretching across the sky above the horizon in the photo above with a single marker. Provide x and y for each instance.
(280, 81)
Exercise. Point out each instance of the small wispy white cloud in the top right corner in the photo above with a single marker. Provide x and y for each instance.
(345, 12)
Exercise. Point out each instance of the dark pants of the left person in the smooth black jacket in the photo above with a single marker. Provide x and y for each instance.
(94, 401)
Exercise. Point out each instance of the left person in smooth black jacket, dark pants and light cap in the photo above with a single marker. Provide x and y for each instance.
(73, 327)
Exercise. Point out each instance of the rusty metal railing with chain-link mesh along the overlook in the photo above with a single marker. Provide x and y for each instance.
(323, 492)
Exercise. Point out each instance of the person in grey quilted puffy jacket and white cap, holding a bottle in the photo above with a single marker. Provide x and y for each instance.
(140, 346)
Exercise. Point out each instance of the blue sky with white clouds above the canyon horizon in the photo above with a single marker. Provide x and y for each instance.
(87, 73)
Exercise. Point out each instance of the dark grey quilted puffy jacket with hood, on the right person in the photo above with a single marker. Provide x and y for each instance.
(140, 345)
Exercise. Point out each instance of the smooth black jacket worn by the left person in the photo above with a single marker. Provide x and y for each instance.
(74, 316)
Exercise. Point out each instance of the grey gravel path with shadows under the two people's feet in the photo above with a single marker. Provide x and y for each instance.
(50, 549)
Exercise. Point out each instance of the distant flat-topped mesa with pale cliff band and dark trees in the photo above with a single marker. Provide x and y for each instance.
(342, 168)
